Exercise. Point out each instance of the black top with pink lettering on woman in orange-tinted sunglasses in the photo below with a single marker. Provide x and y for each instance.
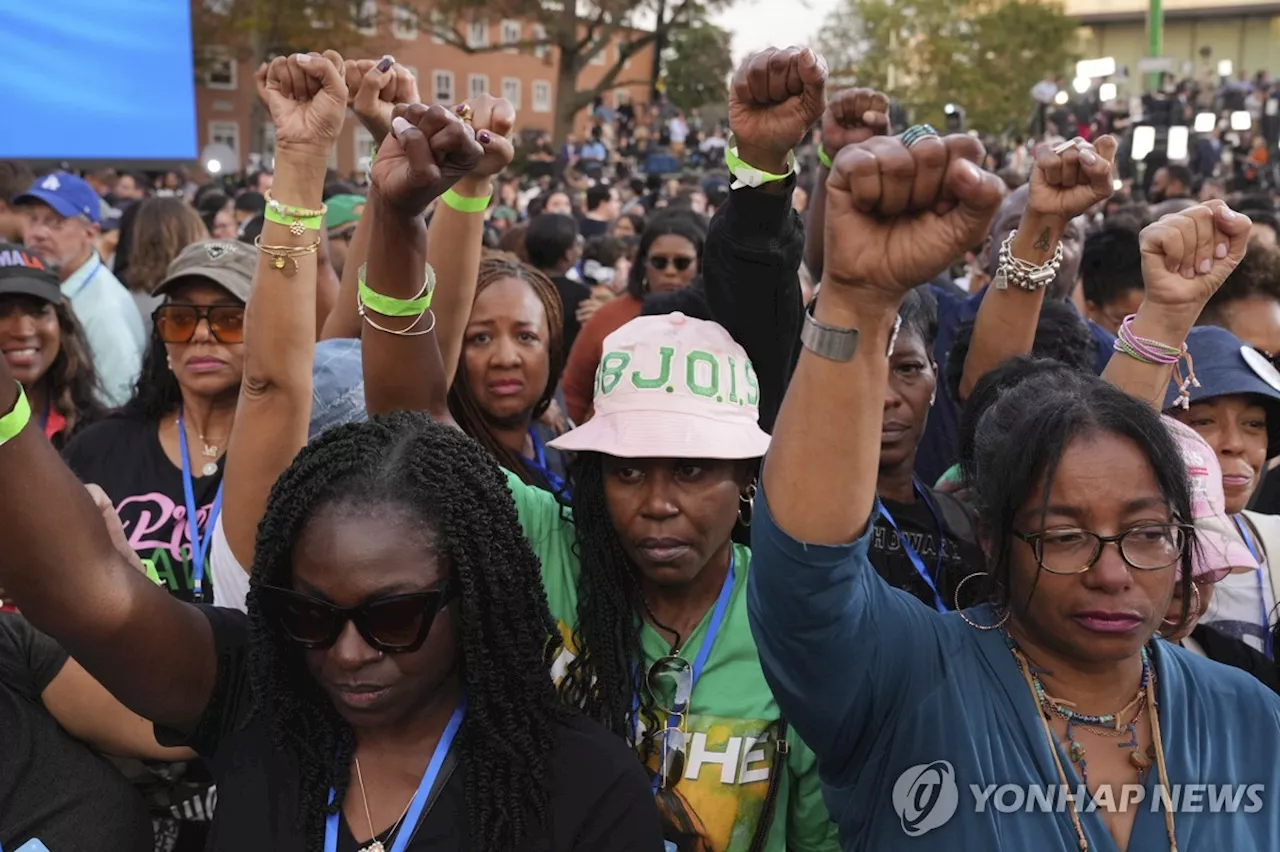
(124, 456)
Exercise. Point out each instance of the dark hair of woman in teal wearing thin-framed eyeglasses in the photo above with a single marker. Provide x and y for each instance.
(1021, 441)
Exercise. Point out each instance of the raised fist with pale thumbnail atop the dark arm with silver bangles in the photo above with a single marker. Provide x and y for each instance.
(428, 150)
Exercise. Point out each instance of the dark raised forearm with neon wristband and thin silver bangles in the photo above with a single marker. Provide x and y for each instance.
(403, 373)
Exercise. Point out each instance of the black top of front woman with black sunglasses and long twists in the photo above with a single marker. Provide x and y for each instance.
(601, 796)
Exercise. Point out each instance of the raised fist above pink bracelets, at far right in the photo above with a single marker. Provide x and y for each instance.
(1186, 256)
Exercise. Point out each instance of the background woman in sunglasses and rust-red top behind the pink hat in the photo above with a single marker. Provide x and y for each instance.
(668, 260)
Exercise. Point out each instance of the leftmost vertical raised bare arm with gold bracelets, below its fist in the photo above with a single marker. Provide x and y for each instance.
(280, 342)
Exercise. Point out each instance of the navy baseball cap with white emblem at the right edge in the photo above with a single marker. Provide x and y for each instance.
(1227, 367)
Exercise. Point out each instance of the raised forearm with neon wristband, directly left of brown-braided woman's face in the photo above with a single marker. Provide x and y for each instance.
(454, 248)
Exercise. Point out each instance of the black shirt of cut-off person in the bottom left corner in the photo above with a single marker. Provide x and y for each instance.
(53, 787)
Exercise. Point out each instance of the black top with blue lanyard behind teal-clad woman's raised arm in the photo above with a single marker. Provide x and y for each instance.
(961, 552)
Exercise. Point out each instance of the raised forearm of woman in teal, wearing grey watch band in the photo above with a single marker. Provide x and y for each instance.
(828, 497)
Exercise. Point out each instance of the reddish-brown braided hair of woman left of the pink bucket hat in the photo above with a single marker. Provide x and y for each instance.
(467, 409)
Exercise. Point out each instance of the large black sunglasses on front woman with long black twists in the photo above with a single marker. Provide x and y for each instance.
(396, 625)
